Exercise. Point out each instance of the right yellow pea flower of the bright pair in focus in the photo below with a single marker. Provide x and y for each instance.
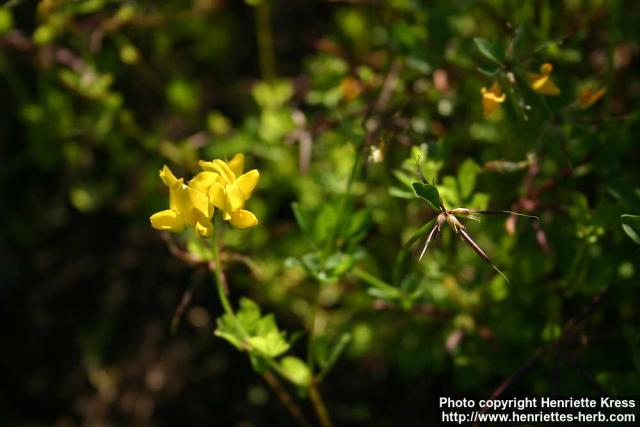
(231, 189)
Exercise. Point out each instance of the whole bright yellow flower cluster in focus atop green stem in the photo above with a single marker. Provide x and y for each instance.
(220, 185)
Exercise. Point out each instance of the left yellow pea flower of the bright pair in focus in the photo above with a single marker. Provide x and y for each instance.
(187, 206)
